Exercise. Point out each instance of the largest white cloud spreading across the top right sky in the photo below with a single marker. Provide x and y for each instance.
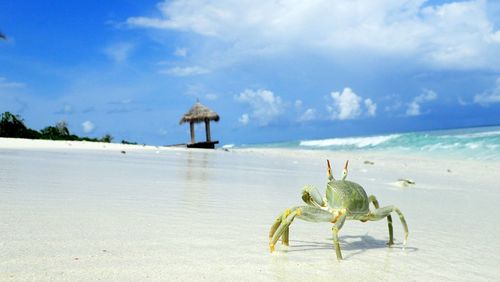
(451, 35)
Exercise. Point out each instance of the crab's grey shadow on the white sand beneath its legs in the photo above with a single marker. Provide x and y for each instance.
(358, 244)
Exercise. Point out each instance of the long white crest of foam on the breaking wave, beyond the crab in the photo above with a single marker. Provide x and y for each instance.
(359, 142)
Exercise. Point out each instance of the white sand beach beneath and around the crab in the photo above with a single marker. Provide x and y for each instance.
(85, 211)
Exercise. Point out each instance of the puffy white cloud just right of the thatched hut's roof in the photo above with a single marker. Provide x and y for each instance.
(264, 105)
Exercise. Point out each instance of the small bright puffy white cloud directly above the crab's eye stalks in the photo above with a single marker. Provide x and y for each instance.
(347, 105)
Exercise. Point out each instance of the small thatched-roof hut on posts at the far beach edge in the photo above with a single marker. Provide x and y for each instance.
(200, 113)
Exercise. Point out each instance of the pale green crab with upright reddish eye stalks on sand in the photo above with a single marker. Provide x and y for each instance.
(344, 200)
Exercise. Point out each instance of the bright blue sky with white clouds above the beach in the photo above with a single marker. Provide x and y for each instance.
(273, 70)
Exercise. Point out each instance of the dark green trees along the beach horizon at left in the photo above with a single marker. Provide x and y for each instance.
(13, 126)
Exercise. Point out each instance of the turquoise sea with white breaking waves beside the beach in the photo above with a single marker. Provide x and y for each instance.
(479, 143)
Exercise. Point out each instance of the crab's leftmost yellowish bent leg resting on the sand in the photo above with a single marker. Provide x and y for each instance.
(306, 213)
